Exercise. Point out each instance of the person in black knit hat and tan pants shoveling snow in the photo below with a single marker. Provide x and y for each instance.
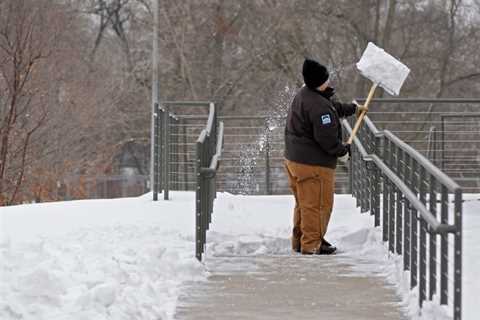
(313, 144)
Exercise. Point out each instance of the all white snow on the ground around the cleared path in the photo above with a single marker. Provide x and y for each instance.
(129, 258)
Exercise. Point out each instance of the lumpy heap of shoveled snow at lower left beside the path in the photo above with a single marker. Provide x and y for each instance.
(117, 273)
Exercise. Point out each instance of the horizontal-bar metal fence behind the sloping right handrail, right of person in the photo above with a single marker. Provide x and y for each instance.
(446, 131)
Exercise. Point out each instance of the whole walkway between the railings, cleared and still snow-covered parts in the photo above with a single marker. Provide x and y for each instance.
(254, 275)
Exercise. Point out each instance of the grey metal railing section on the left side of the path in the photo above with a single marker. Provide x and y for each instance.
(187, 157)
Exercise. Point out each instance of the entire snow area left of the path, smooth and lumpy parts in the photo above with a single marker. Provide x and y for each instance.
(108, 259)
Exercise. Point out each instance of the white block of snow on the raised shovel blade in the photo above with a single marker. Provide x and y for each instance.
(383, 69)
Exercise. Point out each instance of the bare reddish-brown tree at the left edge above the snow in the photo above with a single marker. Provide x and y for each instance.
(26, 40)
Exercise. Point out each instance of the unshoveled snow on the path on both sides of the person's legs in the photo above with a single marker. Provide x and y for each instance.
(258, 225)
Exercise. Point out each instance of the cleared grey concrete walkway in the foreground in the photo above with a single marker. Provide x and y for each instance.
(289, 287)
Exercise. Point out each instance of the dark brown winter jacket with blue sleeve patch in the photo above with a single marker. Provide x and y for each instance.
(313, 133)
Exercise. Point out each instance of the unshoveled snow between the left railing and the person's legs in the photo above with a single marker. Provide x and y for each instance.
(250, 225)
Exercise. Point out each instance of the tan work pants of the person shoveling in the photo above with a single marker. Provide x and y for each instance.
(313, 188)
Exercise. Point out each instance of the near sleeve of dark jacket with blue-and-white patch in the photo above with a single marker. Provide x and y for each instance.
(325, 133)
